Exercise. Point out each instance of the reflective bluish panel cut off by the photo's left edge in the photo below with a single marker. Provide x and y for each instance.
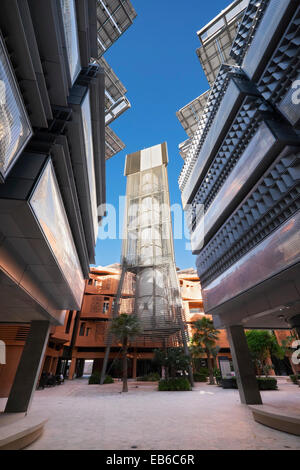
(15, 129)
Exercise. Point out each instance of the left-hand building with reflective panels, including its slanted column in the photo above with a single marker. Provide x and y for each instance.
(52, 178)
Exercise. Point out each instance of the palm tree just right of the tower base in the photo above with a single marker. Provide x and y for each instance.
(204, 340)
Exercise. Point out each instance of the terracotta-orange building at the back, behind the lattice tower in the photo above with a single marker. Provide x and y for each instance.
(90, 329)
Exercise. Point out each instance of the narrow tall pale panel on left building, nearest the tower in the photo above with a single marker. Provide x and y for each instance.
(88, 142)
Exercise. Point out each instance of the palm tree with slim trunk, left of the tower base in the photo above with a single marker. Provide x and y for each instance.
(125, 328)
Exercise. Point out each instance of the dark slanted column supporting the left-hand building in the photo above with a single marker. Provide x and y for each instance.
(27, 374)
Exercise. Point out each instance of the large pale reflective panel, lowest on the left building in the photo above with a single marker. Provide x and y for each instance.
(48, 207)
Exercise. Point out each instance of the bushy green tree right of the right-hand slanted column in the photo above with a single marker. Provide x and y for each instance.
(262, 345)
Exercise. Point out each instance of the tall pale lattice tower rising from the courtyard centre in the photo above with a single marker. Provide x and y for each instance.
(148, 246)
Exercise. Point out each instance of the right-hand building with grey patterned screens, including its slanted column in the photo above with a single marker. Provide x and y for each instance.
(242, 168)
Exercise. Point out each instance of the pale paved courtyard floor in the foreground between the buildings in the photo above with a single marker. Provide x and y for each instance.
(83, 416)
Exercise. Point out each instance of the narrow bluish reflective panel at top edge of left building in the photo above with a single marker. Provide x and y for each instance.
(71, 36)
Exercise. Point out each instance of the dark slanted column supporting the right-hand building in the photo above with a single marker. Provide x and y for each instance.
(243, 366)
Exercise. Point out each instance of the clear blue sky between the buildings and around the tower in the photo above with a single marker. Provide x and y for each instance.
(156, 61)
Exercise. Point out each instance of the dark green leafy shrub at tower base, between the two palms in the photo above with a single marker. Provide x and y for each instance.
(172, 359)
